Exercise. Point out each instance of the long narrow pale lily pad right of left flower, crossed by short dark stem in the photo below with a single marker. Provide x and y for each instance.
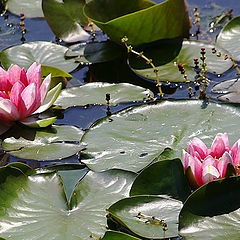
(95, 93)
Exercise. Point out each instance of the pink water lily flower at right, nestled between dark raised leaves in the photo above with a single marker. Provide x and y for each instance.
(203, 165)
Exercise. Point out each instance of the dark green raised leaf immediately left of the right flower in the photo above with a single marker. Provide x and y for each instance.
(162, 178)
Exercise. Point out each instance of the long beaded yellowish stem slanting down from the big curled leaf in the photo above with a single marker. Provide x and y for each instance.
(148, 61)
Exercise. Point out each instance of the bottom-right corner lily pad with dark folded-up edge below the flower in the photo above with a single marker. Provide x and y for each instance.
(212, 211)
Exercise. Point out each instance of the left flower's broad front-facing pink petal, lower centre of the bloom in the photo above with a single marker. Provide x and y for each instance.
(29, 98)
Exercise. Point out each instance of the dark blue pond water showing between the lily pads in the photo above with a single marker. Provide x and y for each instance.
(84, 117)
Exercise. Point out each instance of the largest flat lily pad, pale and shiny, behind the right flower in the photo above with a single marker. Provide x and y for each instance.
(133, 138)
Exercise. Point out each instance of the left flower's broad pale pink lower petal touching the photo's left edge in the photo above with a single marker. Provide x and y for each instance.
(8, 110)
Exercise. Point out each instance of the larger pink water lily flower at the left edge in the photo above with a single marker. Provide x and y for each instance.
(23, 94)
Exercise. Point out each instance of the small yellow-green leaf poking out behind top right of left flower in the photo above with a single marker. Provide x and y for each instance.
(57, 75)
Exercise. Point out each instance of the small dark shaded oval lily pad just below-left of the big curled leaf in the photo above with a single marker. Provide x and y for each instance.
(94, 52)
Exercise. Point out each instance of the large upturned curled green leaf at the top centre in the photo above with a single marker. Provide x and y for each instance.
(142, 21)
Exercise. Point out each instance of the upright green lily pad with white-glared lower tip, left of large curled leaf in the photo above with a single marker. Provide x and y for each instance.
(65, 19)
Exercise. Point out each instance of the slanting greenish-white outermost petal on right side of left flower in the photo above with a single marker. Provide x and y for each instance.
(50, 99)
